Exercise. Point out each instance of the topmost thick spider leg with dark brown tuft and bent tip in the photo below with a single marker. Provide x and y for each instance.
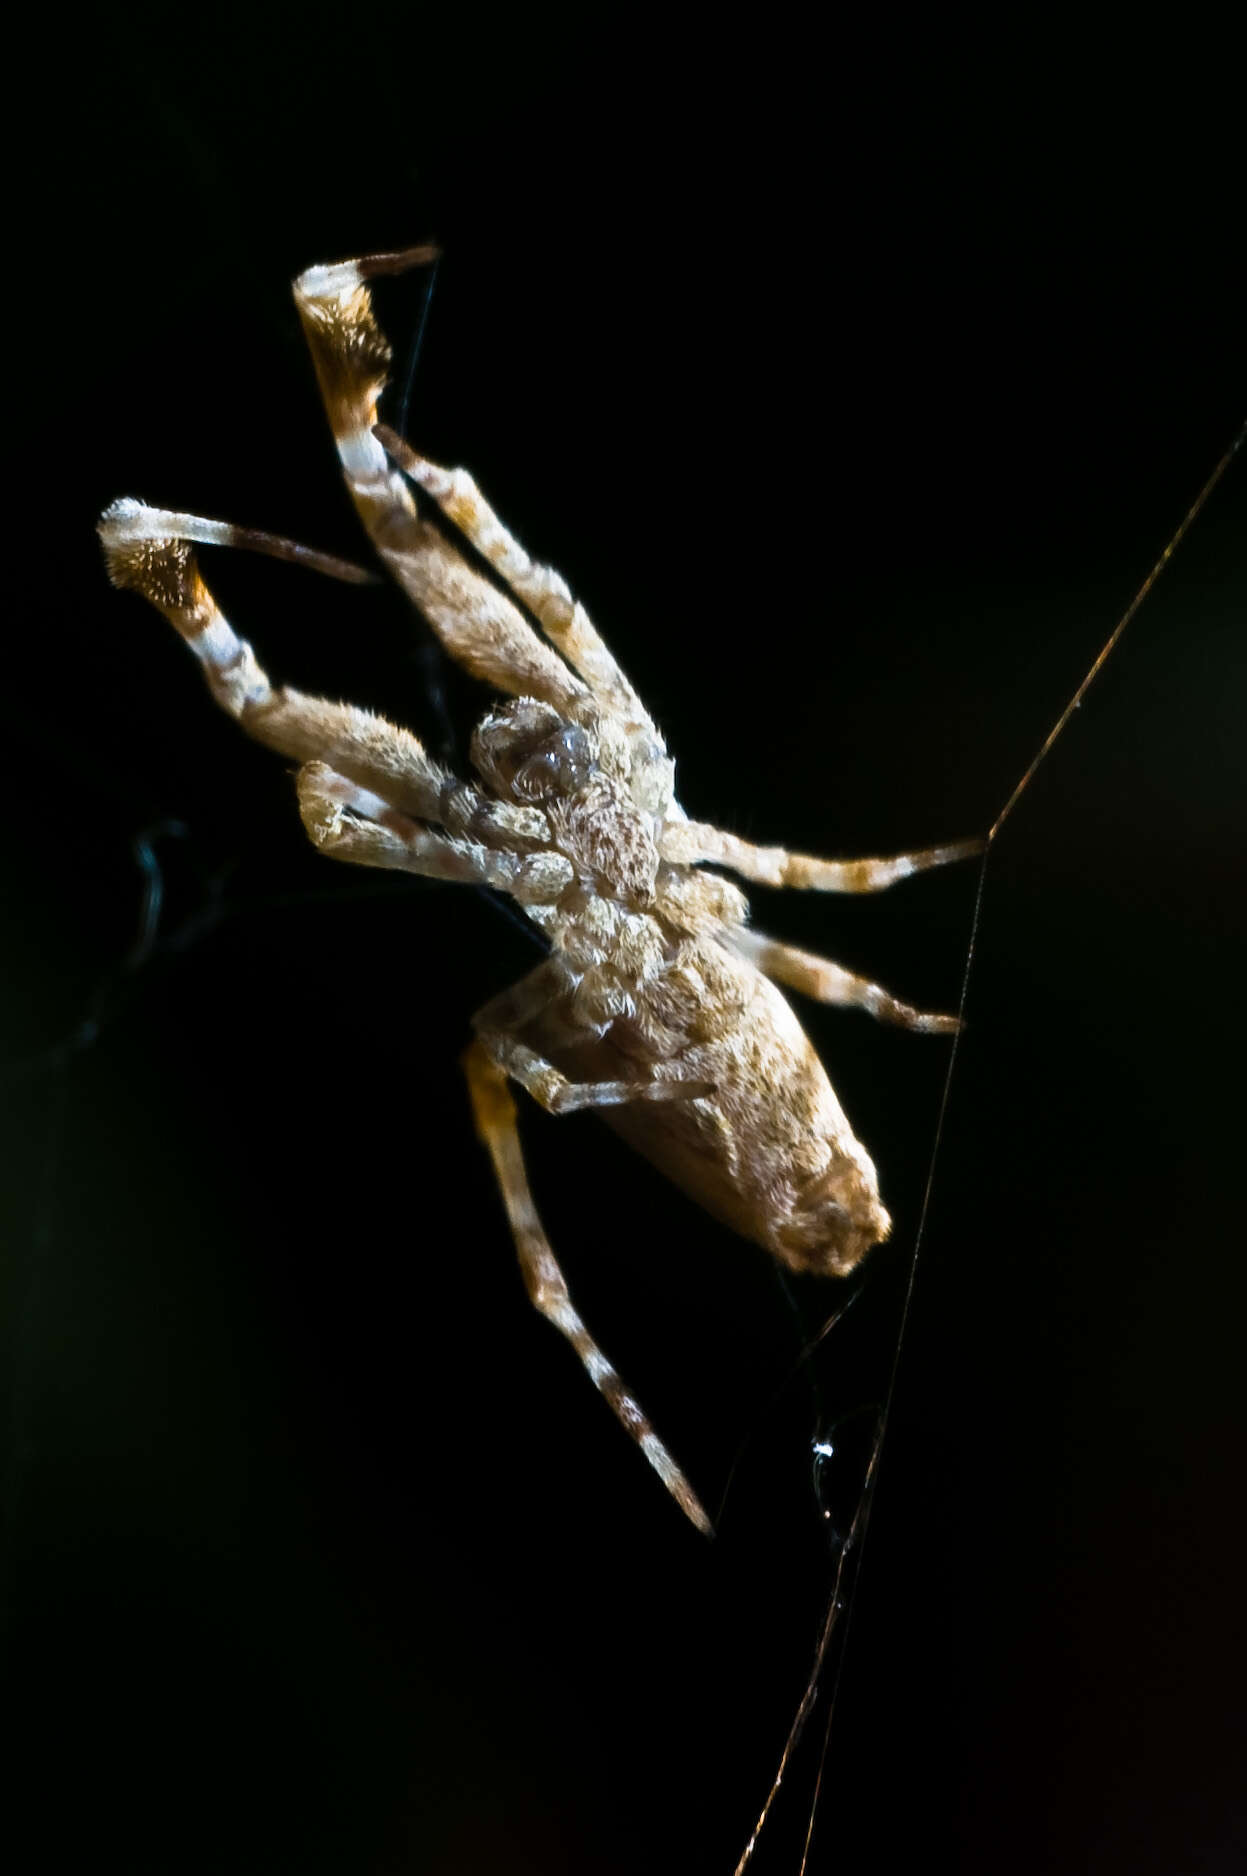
(477, 624)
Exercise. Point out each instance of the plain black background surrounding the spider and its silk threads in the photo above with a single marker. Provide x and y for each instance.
(856, 393)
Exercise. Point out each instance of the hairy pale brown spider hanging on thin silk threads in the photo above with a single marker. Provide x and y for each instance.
(657, 1003)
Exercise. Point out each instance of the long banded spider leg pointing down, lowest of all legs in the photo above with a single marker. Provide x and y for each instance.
(547, 1286)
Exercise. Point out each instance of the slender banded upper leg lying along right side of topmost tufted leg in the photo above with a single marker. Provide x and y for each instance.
(539, 588)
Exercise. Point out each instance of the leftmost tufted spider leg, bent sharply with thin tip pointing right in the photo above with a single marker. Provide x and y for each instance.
(151, 551)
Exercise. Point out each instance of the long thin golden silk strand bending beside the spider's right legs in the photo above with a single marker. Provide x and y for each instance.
(841, 1601)
